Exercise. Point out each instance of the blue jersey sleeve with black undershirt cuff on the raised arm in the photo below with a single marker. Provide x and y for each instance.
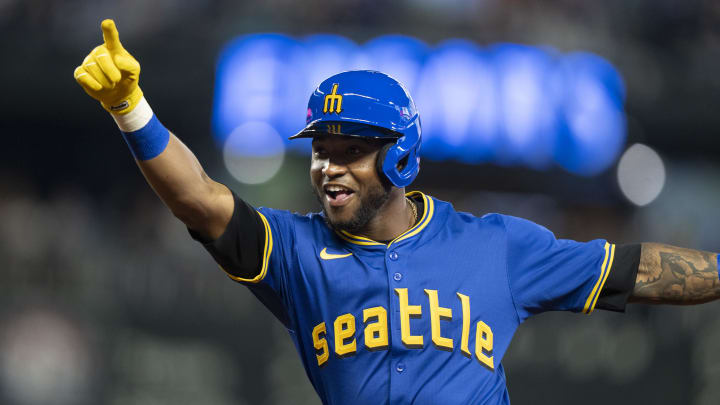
(254, 250)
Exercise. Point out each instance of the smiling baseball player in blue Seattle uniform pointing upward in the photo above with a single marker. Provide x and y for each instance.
(390, 297)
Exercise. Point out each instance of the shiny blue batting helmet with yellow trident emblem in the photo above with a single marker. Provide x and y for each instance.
(366, 103)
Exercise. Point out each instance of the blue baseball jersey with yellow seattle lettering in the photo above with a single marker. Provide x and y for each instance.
(427, 317)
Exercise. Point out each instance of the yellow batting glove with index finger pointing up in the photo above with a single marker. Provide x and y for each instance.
(110, 74)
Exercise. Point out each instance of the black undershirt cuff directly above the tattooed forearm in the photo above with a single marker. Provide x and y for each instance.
(621, 281)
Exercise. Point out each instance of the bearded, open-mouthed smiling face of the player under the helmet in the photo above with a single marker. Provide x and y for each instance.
(345, 180)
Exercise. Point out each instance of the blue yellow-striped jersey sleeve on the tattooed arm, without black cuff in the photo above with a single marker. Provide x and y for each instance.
(550, 274)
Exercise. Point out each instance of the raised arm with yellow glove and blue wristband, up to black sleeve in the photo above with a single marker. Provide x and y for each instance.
(110, 75)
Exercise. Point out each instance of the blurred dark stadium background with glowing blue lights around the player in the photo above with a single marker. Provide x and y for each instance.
(104, 299)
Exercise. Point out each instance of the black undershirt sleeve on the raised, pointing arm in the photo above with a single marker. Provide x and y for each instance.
(240, 248)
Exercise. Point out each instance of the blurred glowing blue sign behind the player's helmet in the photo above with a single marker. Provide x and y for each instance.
(507, 104)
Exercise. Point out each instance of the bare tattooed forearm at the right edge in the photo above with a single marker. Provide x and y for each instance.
(672, 275)
